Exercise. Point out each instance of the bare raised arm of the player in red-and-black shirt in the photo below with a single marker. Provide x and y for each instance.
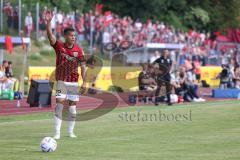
(50, 35)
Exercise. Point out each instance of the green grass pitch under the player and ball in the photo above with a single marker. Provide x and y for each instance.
(211, 132)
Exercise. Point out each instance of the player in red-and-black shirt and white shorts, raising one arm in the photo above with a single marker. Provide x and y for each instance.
(68, 56)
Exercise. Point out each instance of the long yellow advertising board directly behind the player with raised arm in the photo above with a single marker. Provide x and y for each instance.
(124, 77)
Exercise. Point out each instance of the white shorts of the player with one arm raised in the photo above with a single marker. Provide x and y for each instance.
(67, 90)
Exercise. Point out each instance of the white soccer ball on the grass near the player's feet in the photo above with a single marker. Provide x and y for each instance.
(48, 144)
